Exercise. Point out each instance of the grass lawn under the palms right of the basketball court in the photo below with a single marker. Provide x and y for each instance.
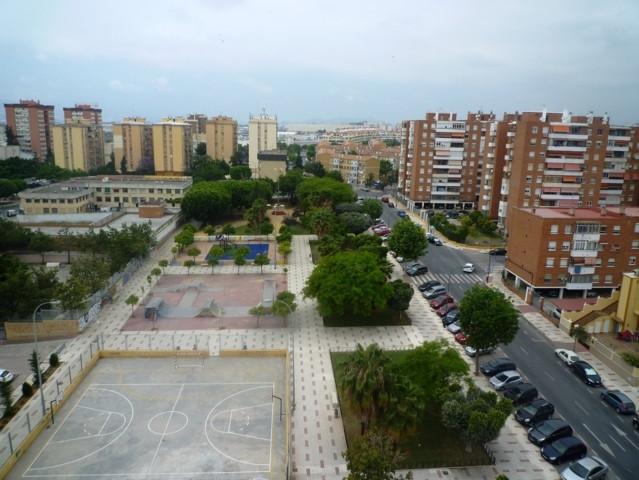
(431, 446)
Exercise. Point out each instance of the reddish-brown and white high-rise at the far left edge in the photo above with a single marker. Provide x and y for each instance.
(31, 123)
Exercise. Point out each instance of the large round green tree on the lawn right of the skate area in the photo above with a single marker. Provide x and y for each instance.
(348, 283)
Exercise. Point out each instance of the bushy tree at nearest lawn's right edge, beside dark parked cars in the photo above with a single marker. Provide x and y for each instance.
(476, 415)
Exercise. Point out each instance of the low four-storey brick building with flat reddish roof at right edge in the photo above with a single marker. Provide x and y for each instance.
(572, 250)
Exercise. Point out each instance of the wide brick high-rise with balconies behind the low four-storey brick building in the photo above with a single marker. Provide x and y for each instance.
(565, 160)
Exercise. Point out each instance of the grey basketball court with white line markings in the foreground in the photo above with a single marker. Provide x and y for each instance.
(158, 418)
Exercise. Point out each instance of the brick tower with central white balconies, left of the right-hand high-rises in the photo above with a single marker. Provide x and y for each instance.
(442, 158)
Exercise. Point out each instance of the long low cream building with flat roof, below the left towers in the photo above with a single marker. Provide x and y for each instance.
(87, 194)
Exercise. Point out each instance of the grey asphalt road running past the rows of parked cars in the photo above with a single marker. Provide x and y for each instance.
(608, 435)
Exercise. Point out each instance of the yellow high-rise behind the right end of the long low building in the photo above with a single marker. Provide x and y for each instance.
(172, 146)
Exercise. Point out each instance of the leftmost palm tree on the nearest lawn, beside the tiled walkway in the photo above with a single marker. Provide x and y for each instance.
(366, 382)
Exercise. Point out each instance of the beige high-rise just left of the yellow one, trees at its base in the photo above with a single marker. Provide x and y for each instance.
(133, 143)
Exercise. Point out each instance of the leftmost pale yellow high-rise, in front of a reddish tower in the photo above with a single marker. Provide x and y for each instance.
(78, 145)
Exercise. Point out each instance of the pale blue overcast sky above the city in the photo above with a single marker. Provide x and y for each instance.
(323, 60)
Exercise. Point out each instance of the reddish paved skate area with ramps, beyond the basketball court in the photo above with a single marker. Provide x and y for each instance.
(195, 302)
